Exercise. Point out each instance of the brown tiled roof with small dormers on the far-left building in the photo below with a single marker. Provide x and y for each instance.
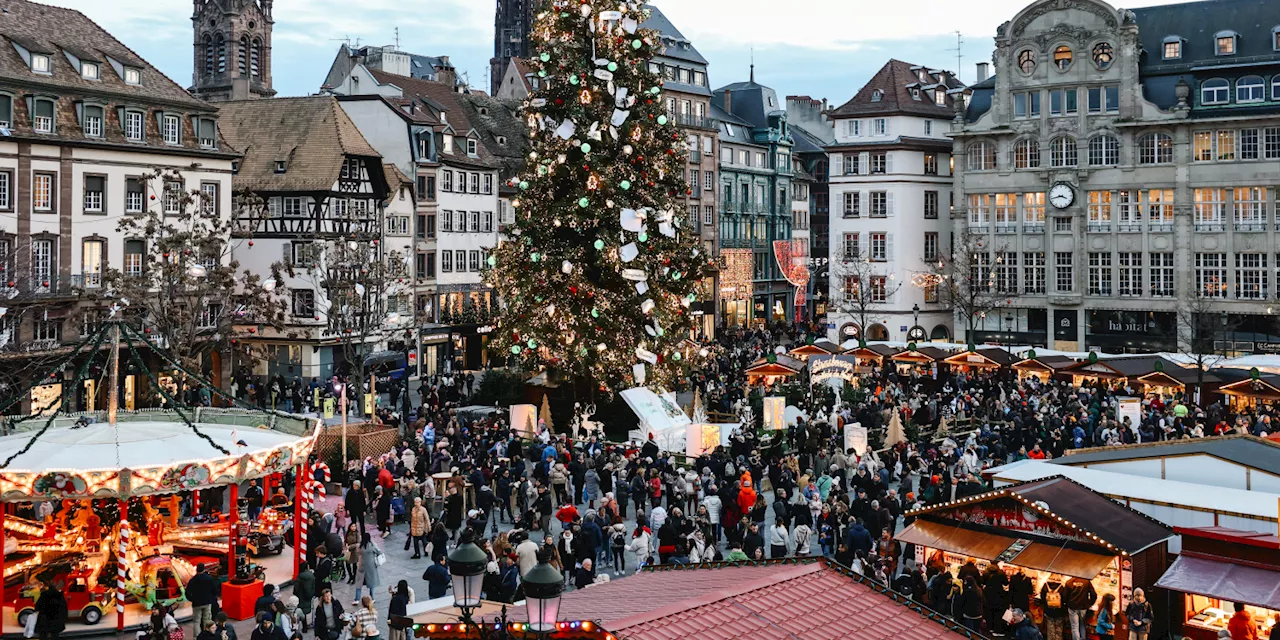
(51, 29)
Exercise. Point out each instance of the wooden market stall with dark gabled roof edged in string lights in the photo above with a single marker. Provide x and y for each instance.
(1053, 532)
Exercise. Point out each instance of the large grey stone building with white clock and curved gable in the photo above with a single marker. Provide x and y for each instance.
(1122, 167)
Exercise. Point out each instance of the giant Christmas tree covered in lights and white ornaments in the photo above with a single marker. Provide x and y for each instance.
(601, 267)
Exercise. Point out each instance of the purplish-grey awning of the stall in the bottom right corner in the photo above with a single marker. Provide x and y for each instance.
(1224, 580)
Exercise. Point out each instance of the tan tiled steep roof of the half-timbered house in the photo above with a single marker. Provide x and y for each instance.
(313, 134)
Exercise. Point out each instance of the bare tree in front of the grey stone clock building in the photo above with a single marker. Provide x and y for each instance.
(975, 282)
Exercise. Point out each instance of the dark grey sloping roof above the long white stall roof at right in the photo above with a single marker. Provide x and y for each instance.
(1244, 450)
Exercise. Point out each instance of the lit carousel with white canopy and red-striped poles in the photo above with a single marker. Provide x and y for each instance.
(118, 509)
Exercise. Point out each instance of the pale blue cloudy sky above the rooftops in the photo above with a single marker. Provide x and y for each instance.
(817, 48)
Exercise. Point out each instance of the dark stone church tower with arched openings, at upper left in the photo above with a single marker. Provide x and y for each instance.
(232, 51)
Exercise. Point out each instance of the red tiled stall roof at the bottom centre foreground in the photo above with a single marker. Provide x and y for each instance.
(811, 598)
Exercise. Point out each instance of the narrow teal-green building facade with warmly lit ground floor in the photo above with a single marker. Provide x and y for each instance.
(756, 204)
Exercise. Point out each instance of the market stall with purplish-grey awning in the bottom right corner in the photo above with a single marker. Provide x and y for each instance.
(1218, 569)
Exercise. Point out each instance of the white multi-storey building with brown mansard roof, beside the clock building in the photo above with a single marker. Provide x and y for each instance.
(890, 181)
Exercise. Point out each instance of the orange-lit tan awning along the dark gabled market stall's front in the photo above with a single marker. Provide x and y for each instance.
(1055, 559)
